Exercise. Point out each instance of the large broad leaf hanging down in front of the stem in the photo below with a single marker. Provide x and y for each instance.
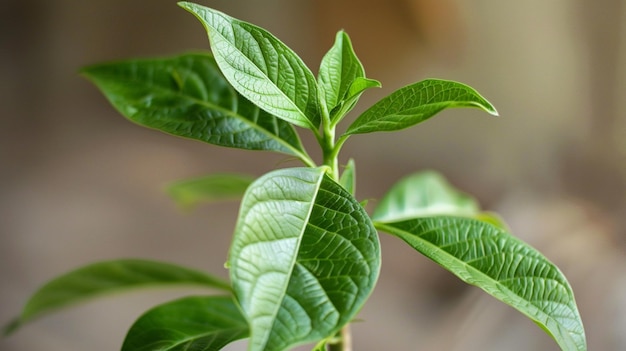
(304, 258)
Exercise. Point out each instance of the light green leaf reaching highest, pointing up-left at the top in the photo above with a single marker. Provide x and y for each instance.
(261, 67)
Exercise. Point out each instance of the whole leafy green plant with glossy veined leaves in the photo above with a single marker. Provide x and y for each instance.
(305, 254)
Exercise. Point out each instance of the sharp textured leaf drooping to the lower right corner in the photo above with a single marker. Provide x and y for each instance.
(486, 256)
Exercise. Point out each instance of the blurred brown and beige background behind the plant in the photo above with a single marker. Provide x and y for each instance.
(79, 184)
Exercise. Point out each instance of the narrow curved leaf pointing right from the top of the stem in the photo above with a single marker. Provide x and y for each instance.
(416, 103)
